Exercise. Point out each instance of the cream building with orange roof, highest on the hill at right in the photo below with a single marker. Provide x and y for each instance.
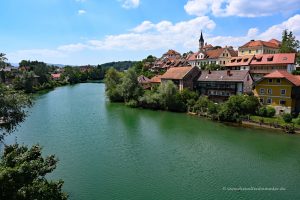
(254, 47)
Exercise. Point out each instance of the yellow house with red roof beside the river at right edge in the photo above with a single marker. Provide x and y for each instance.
(281, 90)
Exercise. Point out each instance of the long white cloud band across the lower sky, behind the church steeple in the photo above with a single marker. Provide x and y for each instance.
(182, 36)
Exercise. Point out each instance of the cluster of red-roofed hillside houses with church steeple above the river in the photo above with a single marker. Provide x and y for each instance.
(256, 67)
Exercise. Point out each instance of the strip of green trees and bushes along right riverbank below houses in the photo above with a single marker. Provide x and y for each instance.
(124, 87)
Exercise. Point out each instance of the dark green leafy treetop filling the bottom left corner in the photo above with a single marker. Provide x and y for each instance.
(22, 175)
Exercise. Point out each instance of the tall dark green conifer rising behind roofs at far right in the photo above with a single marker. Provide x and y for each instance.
(289, 42)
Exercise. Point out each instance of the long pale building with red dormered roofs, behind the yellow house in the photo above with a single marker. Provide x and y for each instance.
(263, 64)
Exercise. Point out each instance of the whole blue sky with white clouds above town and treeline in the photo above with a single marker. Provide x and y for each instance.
(81, 32)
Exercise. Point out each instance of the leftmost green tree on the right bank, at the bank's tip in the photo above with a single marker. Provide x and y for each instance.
(112, 80)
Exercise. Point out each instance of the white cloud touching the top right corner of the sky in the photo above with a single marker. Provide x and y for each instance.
(242, 8)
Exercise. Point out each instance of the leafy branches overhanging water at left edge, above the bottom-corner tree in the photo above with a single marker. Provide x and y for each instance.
(12, 109)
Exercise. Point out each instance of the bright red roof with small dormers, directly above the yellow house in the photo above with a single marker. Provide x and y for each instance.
(278, 58)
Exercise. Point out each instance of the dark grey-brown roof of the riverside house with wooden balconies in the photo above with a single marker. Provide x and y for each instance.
(224, 75)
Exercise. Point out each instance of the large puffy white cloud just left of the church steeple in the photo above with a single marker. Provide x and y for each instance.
(150, 36)
